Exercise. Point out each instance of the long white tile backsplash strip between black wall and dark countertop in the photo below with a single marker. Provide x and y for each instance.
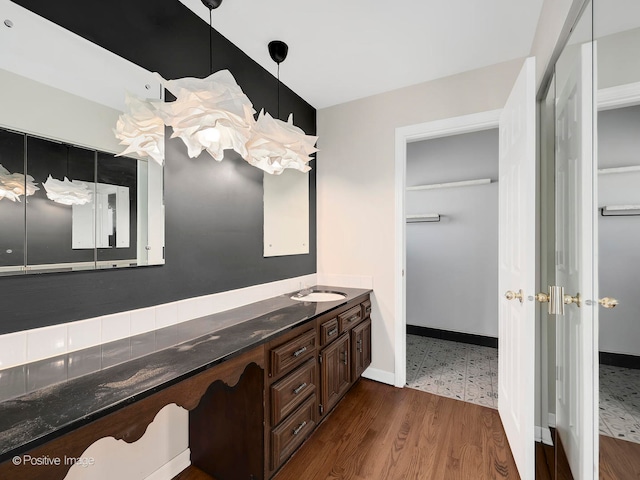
(30, 345)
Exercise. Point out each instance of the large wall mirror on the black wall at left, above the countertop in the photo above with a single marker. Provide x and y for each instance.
(61, 98)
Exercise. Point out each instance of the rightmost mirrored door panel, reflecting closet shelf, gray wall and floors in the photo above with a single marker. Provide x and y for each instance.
(617, 39)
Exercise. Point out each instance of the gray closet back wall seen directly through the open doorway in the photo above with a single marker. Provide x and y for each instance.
(452, 265)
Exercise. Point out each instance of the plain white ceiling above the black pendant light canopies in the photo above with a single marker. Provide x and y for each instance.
(341, 50)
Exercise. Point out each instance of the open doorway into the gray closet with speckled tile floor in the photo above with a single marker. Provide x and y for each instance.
(452, 239)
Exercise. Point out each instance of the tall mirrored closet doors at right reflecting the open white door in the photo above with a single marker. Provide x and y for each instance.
(594, 374)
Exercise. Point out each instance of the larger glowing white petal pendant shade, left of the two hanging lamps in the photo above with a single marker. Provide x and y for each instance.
(211, 114)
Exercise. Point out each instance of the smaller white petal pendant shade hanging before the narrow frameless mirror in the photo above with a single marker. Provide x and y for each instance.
(276, 145)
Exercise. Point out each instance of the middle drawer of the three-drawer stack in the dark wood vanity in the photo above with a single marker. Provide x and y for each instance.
(289, 392)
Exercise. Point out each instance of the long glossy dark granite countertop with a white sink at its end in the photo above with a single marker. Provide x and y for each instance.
(42, 400)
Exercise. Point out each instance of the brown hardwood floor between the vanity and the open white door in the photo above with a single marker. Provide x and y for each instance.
(385, 433)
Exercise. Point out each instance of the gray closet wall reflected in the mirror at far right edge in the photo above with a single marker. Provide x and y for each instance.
(619, 237)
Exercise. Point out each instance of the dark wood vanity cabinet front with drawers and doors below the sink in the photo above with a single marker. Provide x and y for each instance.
(310, 370)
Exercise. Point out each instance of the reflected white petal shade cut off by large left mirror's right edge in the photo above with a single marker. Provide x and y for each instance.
(141, 129)
